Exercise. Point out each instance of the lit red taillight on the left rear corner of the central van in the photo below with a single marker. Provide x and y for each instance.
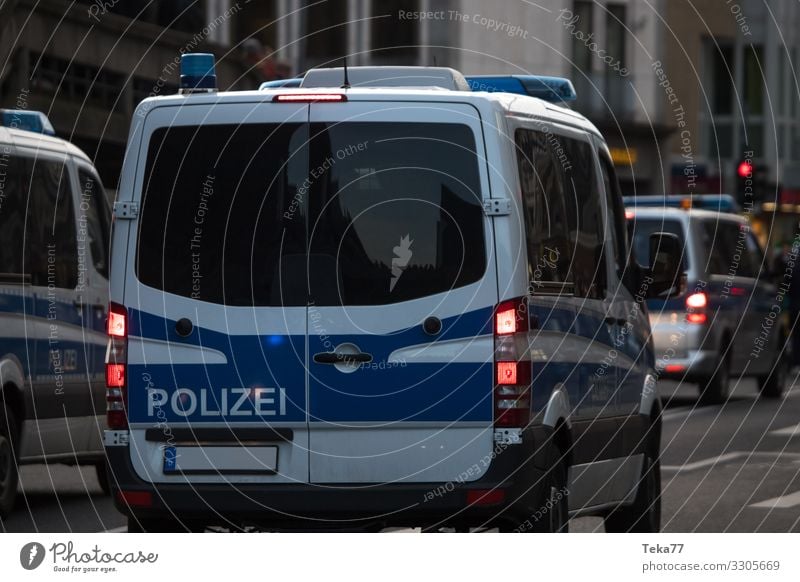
(116, 362)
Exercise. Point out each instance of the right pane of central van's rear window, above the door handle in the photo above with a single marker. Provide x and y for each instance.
(398, 211)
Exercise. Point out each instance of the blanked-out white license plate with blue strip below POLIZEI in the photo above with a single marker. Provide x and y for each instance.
(224, 460)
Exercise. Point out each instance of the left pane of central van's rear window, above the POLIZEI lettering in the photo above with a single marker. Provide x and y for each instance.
(217, 213)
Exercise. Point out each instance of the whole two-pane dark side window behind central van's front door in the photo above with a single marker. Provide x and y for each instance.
(563, 220)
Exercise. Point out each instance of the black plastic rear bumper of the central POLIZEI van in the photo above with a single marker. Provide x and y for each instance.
(517, 471)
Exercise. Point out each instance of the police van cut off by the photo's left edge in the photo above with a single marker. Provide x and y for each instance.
(54, 236)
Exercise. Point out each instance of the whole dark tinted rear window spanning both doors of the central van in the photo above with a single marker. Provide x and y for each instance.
(334, 214)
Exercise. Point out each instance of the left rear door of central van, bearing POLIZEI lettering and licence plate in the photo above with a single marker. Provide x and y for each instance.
(216, 377)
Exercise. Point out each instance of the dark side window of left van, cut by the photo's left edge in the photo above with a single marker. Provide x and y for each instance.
(12, 222)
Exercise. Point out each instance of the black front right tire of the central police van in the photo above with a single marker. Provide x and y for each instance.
(644, 516)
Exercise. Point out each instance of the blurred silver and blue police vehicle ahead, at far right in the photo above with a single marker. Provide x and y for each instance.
(727, 324)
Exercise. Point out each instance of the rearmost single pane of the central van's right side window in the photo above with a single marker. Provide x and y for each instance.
(546, 228)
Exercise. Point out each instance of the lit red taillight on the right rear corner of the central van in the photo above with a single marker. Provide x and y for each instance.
(512, 390)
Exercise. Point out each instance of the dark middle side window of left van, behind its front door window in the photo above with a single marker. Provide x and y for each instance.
(51, 224)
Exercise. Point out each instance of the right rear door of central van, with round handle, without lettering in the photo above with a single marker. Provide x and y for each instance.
(398, 237)
